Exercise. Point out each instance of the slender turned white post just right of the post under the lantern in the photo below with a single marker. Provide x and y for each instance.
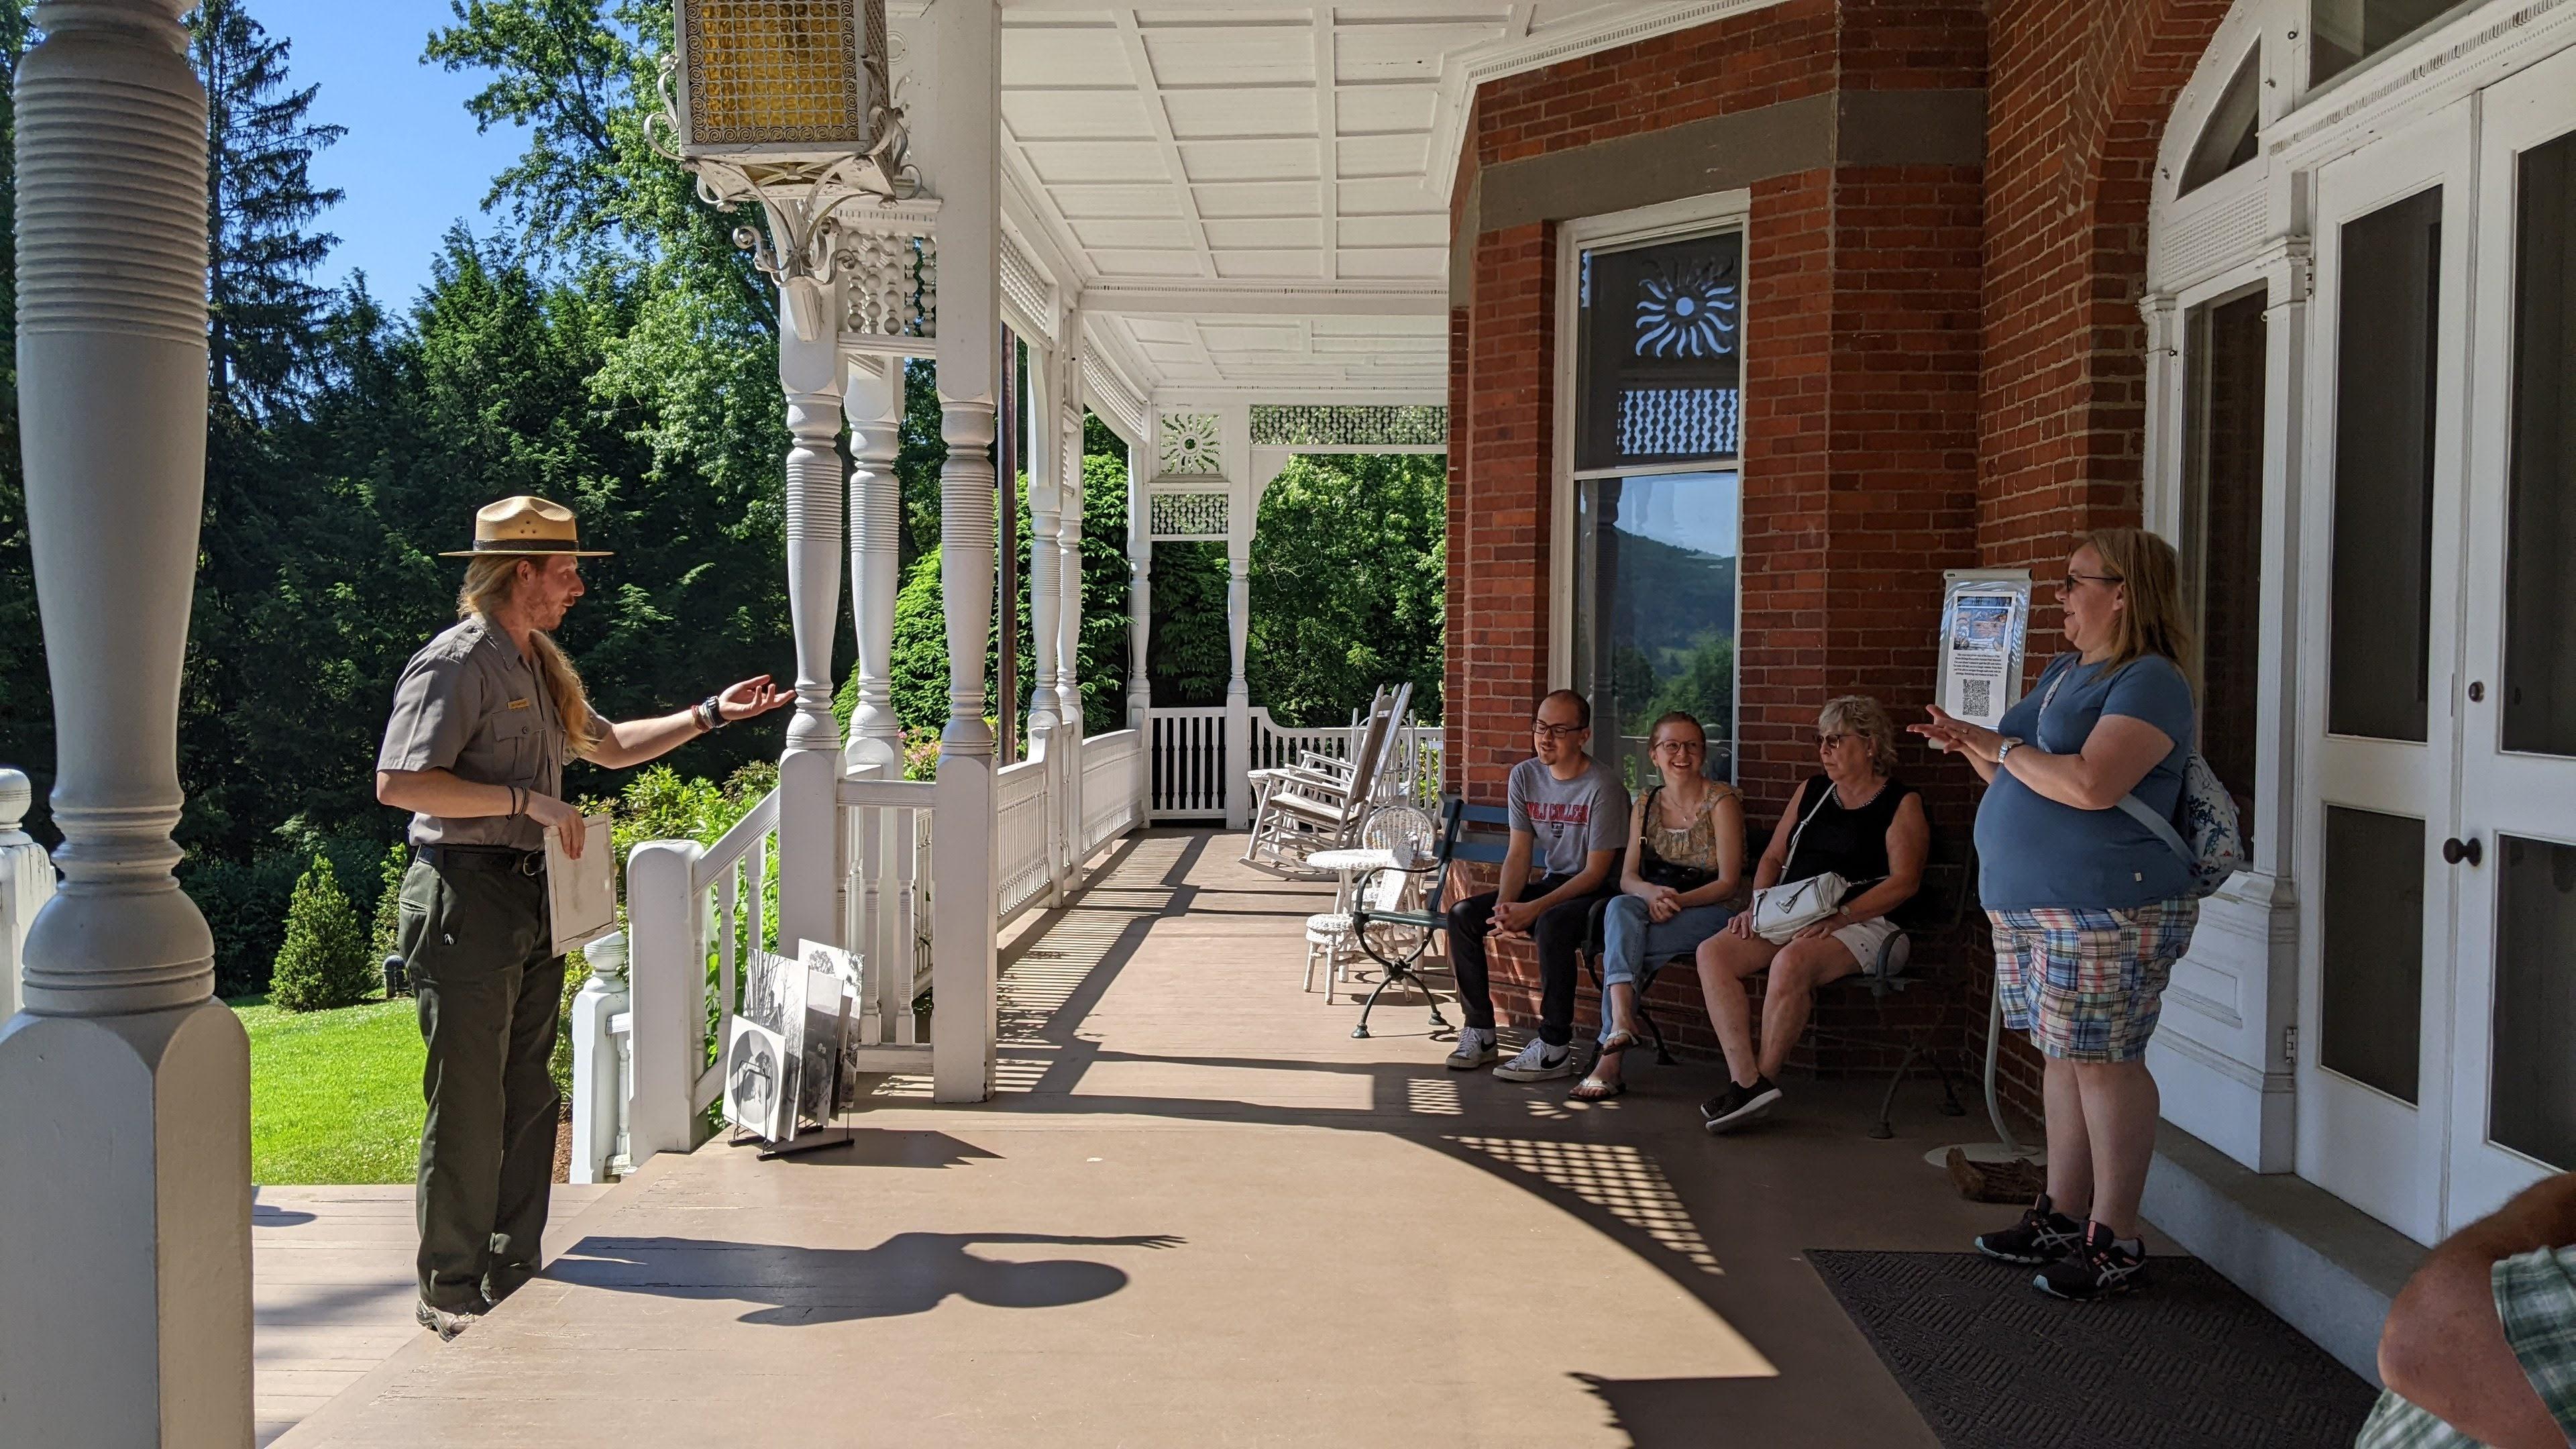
(875, 404)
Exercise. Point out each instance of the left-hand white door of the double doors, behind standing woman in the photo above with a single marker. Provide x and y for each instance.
(2384, 512)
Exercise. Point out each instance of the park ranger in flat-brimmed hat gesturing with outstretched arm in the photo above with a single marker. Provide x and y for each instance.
(486, 721)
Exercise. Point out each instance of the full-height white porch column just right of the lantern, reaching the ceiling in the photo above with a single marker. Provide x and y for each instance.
(965, 138)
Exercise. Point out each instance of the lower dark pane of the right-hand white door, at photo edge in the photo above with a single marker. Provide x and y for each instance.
(2531, 1100)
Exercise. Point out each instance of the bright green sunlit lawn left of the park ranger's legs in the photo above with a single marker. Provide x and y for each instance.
(334, 1094)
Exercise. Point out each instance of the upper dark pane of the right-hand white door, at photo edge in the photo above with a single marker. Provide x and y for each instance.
(2541, 527)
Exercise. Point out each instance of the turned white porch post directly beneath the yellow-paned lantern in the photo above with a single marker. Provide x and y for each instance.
(810, 873)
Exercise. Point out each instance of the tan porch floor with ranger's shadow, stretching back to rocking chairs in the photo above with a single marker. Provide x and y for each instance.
(1202, 1213)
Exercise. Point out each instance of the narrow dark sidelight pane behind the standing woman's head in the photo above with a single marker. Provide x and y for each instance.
(2222, 532)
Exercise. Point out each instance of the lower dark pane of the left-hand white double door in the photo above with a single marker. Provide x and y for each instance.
(2374, 978)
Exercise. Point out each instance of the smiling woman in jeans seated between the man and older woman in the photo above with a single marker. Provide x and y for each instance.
(1686, 860)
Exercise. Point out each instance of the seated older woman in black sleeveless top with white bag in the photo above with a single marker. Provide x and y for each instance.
(1856, 821)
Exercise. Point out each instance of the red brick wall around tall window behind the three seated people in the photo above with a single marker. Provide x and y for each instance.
(1861, 398)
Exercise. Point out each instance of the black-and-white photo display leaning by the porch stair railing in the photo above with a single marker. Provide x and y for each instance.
(790, 1069)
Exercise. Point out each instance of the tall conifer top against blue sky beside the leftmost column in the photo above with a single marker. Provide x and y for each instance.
(261, 306)
